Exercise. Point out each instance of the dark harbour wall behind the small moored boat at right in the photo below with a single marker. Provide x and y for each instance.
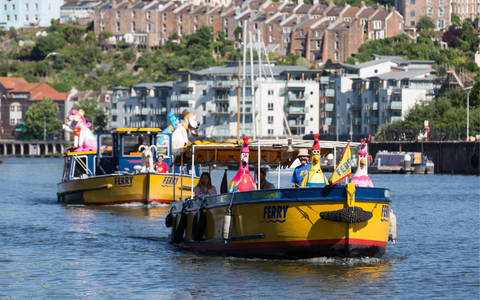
(448, 157)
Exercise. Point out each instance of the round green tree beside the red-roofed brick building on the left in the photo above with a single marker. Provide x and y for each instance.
(34, 118)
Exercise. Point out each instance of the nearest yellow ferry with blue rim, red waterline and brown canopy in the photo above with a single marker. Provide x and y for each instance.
(291, 223)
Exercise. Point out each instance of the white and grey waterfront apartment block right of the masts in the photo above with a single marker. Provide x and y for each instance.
(378, 92)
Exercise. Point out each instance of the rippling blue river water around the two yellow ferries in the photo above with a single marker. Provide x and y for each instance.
(50, 250)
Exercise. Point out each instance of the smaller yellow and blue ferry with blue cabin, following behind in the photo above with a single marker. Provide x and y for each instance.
(112, 174)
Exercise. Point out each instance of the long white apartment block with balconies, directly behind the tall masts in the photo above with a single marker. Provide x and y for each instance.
(212, 94)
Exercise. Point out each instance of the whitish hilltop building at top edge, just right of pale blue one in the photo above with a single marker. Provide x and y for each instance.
(78, 11)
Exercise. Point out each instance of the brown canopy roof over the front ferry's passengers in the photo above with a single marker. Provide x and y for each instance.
(272, 152)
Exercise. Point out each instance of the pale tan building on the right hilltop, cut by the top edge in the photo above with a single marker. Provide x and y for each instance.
(412, 10)
